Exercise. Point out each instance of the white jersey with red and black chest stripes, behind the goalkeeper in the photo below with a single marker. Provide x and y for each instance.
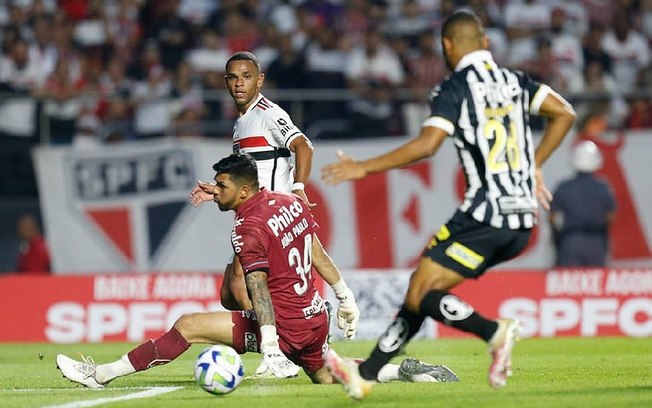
(265, 131)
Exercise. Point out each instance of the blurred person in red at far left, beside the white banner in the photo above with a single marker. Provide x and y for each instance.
(33, 257)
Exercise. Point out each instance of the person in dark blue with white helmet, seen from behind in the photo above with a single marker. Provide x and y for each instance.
(581, 212)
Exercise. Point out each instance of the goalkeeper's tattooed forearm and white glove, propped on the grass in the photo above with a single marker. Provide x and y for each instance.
(269, 347)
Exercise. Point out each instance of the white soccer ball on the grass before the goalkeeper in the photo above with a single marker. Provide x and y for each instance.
(219, 369)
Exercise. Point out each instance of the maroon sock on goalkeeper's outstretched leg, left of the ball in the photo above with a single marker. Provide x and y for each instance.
(160, 351)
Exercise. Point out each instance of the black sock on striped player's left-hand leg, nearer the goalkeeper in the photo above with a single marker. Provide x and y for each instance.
(403, 328)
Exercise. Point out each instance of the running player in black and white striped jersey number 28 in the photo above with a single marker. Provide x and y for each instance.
(485, 110)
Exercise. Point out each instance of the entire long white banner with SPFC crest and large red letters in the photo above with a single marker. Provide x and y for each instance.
(125, 208)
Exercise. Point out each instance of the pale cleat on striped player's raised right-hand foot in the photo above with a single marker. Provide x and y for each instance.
(501, 345)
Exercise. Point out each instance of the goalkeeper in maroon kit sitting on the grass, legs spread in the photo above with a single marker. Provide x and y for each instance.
(283, 300)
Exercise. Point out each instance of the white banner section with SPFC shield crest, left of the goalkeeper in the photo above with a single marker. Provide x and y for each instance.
(125, 208)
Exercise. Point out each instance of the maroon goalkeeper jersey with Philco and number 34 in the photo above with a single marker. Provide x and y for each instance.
(273, 232)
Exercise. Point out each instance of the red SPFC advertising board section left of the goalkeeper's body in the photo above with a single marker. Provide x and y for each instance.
(118, 307)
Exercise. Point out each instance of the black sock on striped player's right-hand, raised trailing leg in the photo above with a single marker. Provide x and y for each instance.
(452, 311)
